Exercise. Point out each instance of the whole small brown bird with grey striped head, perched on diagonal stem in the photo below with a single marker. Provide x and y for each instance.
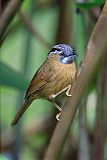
(55, 75)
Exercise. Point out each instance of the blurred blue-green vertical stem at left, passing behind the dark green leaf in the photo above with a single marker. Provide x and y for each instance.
(25, 70)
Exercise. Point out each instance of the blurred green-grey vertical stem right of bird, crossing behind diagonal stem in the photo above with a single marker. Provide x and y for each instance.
(80, 20)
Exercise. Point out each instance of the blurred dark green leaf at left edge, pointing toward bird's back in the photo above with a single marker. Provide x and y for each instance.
(10, 77)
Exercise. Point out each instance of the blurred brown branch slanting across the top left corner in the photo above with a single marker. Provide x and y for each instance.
(8, 15)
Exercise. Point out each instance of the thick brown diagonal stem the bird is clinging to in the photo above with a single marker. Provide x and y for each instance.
(95, 50)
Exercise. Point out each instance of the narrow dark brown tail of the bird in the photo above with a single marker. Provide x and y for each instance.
(20, 113)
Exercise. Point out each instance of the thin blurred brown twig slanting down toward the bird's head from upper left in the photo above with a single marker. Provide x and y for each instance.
(27, 22)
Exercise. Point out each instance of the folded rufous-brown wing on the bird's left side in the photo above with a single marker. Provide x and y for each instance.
(40, 80)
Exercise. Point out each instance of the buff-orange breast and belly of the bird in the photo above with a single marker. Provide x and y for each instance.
(62, 75)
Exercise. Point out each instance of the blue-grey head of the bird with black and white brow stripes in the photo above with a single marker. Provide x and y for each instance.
(66, 54)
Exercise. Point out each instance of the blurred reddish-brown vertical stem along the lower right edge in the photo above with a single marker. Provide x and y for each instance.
(100, 132)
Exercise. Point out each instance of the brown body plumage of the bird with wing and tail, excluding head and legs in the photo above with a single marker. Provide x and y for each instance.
(51, 78)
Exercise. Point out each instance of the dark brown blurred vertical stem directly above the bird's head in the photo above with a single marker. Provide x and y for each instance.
(64, 32)
